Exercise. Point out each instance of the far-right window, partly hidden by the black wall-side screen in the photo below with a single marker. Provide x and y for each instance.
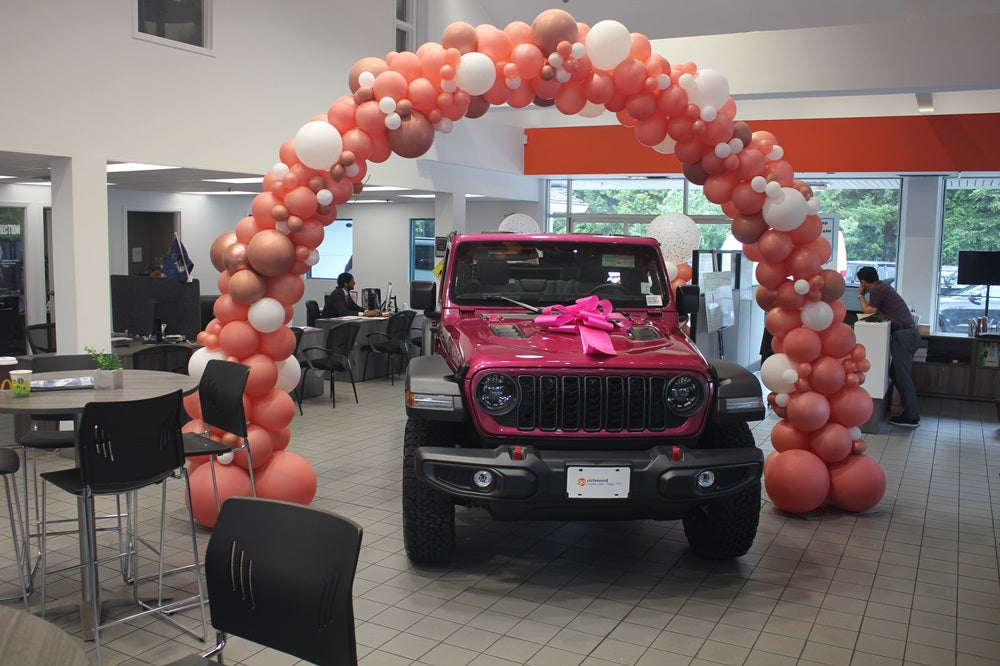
(971, 222)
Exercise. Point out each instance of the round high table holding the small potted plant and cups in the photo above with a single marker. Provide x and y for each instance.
(138, 384)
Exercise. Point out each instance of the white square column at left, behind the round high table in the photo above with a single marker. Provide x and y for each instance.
(80, 253)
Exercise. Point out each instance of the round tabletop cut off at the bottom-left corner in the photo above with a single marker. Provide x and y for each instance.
(27, 639)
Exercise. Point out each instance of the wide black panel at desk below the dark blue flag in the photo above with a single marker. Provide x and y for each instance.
(141, 304)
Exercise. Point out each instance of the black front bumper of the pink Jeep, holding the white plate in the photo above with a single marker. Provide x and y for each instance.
(529, 483)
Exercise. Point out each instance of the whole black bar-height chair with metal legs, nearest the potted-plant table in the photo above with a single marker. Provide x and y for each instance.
(123, 447)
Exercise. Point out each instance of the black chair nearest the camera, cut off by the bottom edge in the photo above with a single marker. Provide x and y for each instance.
(282, 575)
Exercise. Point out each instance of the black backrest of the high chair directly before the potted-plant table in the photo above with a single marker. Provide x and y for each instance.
(130, 444)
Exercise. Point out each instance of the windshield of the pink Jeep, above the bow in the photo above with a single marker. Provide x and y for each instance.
(545, 272)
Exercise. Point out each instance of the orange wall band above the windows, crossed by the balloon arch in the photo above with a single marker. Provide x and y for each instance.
(897, 144)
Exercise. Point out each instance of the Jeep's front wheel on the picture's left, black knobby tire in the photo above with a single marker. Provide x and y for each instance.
(428, 515)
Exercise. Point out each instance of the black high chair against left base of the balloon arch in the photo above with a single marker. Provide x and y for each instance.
(220, 394)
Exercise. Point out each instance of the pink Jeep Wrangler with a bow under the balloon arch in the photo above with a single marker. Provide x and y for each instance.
(556, 383)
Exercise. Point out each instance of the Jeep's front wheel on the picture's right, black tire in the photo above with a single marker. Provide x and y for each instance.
(725, 528)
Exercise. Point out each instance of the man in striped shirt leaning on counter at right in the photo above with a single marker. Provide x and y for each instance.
(903, 341)
